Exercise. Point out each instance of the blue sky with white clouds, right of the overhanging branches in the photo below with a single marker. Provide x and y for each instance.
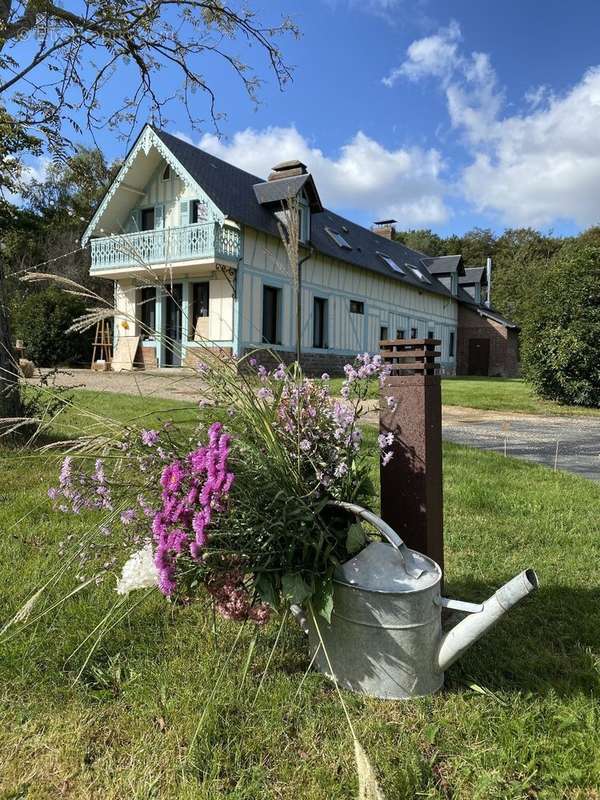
(441, 114)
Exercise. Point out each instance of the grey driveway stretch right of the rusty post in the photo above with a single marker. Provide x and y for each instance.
(570, 443)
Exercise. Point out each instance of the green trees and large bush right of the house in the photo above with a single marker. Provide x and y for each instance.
(550, 286)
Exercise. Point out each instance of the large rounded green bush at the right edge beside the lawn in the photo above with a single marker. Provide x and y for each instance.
(561, 338)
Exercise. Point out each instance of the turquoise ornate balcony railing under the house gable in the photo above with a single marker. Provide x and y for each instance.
(166, 246)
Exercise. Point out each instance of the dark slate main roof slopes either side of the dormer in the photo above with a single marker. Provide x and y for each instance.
(232, 191)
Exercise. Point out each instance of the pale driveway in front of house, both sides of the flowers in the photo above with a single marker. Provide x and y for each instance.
(526, 436)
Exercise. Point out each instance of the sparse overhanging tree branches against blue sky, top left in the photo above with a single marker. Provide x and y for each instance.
(59, 66)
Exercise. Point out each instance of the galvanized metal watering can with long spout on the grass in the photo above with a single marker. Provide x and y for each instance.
(385, 637)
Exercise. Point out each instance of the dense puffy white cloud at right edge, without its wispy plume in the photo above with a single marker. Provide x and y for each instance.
(543, 166)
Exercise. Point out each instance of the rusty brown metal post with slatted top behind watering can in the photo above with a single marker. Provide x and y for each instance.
(411, 484)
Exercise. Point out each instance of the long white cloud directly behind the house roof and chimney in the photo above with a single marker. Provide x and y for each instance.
(364, 177)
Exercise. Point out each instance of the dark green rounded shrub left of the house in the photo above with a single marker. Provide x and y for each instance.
(42, 321)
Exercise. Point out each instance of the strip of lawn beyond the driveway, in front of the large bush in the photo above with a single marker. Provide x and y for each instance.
(494, 394)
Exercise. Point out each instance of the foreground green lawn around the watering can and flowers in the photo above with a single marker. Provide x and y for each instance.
(519, 716)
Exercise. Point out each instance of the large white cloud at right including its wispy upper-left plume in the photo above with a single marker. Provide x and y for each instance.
(533, 167)
